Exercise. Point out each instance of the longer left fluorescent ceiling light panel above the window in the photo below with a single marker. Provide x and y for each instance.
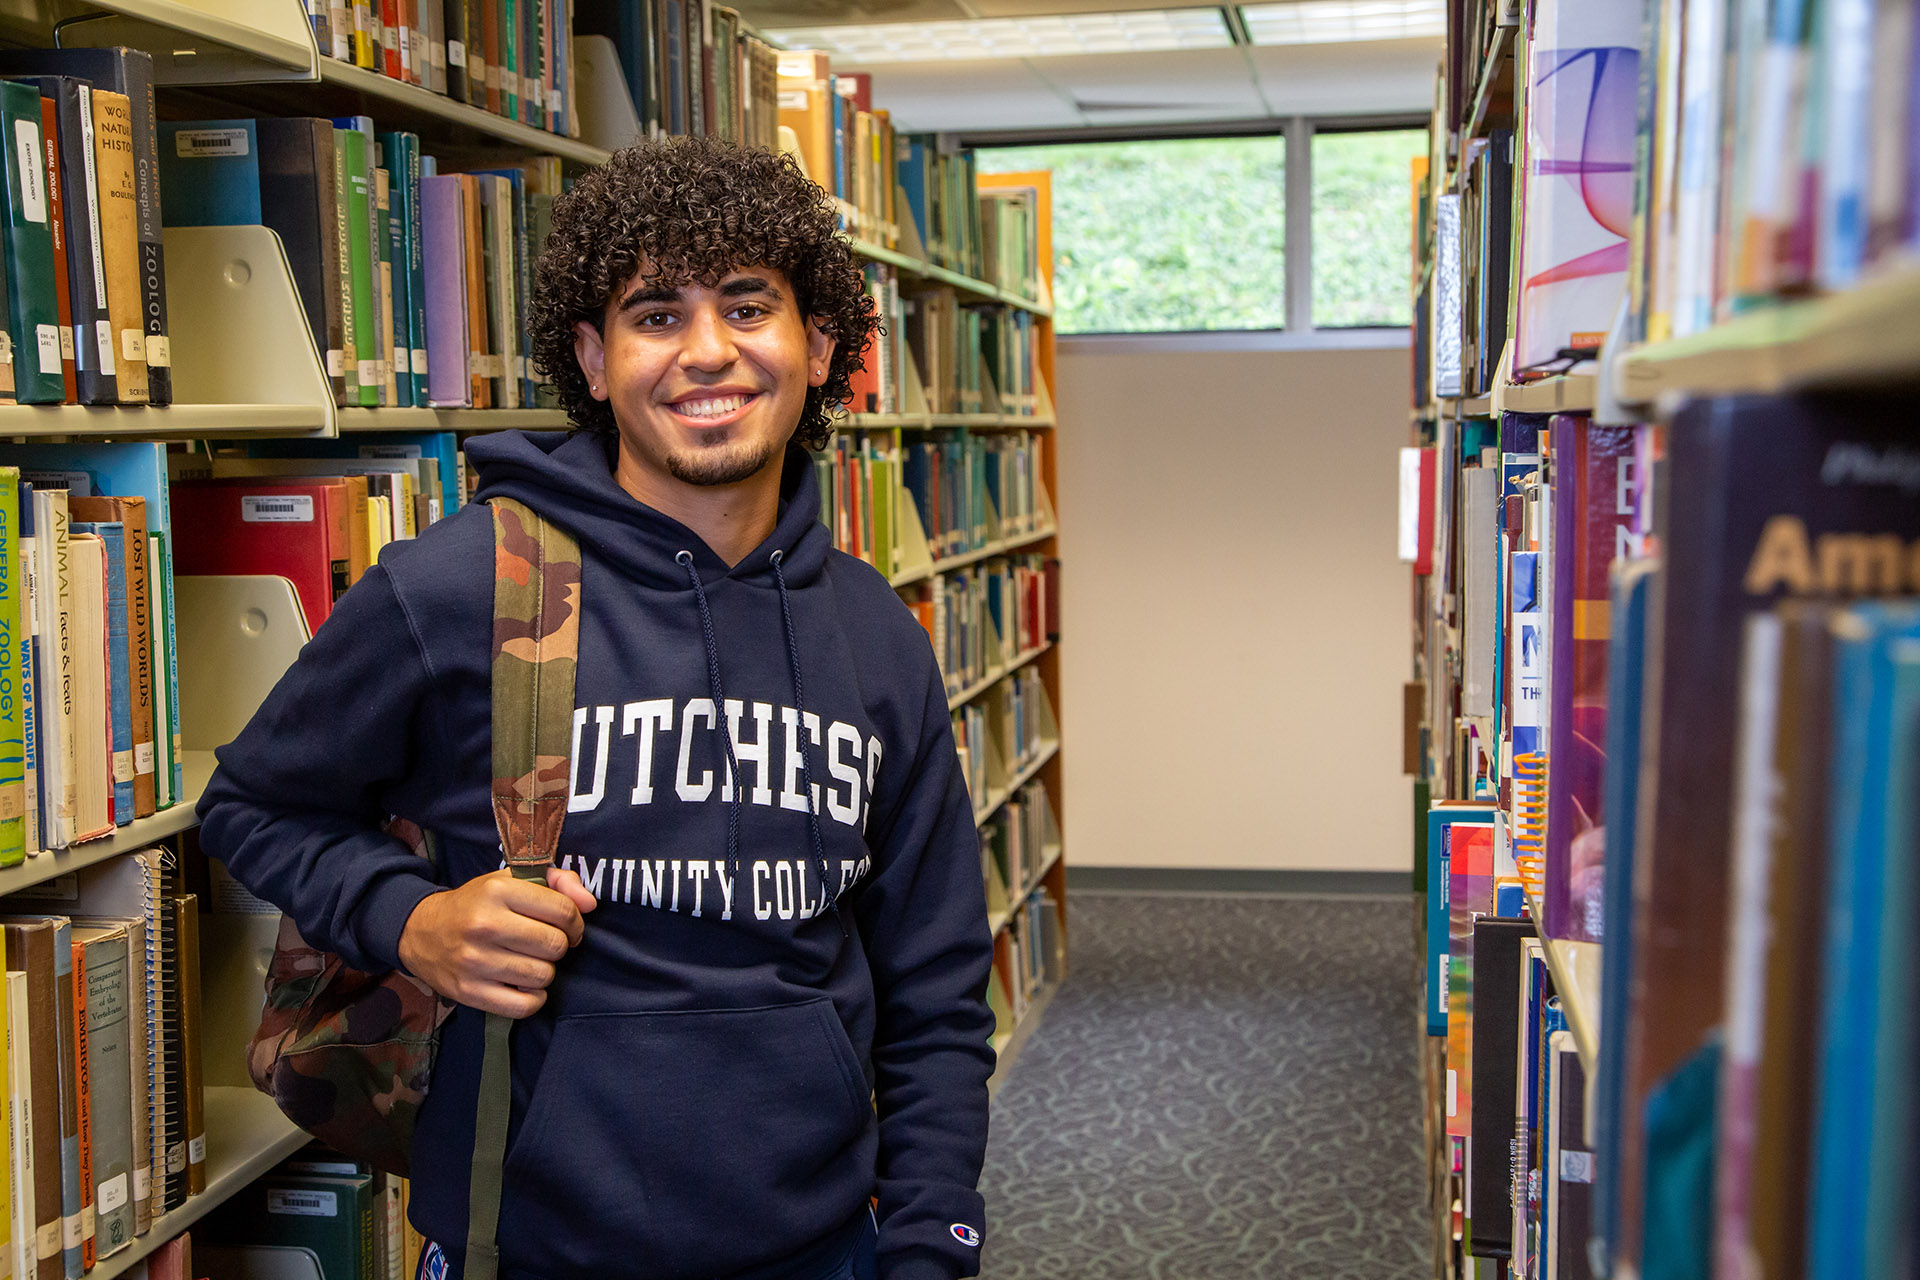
(1140, 32)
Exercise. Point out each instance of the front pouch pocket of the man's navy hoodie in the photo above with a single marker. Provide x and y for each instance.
(688, 1145)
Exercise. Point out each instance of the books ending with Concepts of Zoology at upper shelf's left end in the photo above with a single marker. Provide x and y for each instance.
(85, 268)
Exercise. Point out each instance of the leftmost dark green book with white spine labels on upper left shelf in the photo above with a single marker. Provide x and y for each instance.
(30, 250)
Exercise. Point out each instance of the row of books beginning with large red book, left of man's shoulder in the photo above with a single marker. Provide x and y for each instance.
(312, 511)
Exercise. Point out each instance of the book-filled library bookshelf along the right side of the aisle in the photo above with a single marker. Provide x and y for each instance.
(1719, 953)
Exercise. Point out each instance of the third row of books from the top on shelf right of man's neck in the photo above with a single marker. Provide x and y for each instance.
(972, 488)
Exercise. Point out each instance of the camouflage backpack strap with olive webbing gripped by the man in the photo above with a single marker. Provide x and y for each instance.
(537, 634)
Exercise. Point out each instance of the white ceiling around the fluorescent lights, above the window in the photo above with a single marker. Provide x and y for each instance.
(1120, 89)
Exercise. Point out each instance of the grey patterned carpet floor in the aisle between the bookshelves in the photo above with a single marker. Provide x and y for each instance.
(1226, 1087)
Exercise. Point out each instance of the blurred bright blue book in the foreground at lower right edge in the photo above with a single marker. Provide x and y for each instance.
(1871, 843)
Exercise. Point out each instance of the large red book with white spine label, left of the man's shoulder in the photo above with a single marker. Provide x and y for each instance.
(299, 531)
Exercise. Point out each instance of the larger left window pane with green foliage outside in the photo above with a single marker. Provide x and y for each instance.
(1166, 235)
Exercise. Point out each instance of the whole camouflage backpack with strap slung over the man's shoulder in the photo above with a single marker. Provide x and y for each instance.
(348, 1056)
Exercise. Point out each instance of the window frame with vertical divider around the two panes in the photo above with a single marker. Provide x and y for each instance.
(1299, 133)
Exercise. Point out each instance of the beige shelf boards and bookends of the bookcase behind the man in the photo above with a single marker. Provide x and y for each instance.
(247, 366)
